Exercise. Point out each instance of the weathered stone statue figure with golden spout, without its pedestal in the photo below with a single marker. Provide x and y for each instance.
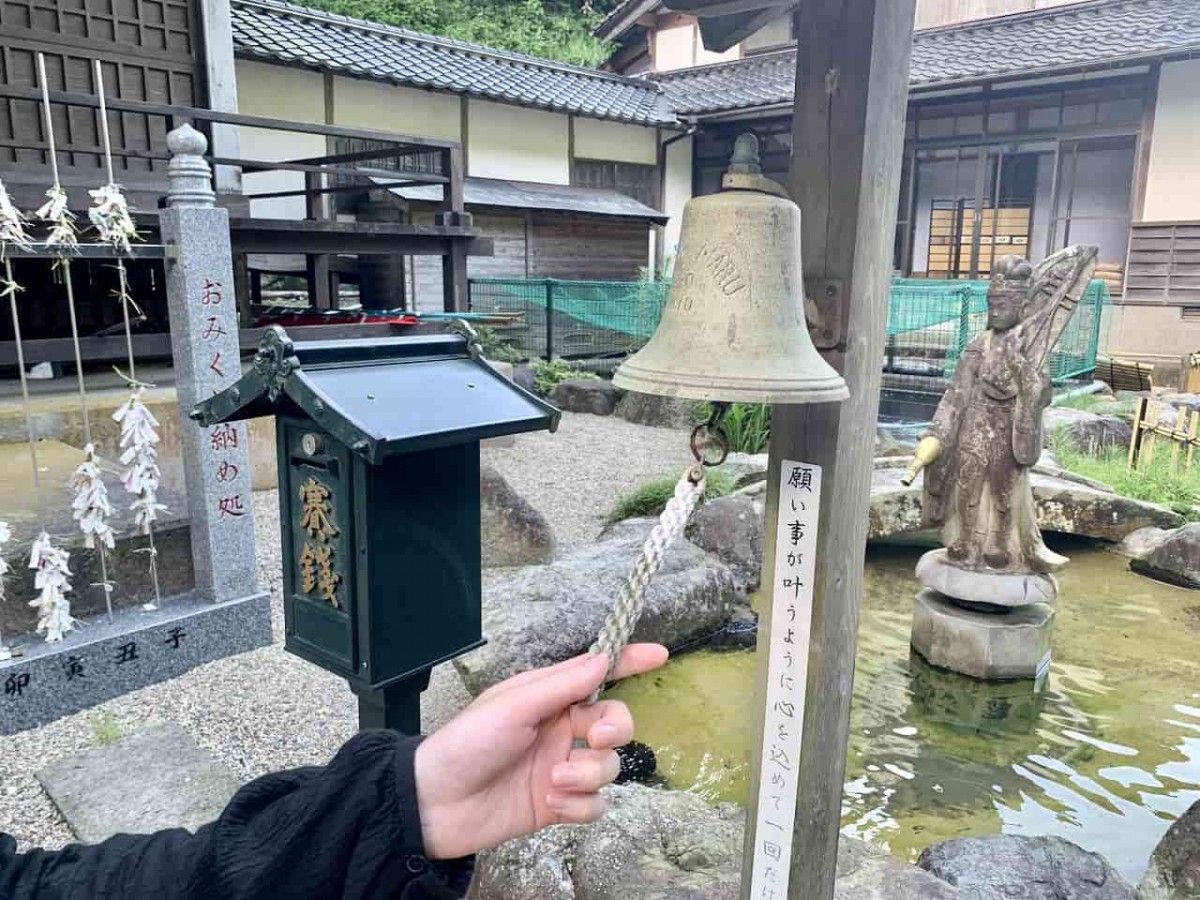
(987, 433)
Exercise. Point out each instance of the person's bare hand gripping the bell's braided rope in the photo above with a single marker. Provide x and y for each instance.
(507, 767)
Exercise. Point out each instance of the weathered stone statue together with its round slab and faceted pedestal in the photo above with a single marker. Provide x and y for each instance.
(986, 609)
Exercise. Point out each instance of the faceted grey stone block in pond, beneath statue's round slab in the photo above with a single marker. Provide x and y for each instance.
(983, 645)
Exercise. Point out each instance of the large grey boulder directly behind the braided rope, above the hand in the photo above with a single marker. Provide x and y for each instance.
(537, 616)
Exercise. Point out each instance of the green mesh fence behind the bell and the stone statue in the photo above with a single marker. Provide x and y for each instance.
(931, 322)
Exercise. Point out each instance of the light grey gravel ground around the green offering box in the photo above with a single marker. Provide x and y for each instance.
(266, 710)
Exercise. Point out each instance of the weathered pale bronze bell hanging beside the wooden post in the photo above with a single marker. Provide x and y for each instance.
(734, 327)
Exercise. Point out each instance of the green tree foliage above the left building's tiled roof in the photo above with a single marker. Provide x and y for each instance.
(554, 29)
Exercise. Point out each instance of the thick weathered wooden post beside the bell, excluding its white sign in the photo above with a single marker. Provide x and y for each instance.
(851, 99)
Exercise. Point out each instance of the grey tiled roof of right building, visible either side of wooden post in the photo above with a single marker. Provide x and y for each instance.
(1087, 34)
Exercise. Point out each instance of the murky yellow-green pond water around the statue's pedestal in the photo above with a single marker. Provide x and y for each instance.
(1106, 755)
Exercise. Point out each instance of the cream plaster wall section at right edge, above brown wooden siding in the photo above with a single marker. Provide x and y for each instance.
(1173, 185)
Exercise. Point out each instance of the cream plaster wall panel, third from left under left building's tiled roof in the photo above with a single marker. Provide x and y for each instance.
(520, 145)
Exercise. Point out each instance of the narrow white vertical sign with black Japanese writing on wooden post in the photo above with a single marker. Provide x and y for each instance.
(791, 621)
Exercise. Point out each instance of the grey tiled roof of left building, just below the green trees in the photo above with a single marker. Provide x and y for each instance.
(285, 33)
